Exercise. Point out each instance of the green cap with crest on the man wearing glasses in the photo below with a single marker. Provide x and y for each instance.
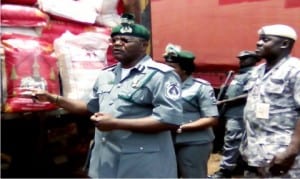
(130, 28)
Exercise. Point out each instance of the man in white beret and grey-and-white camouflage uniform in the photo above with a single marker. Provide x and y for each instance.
(272, 112)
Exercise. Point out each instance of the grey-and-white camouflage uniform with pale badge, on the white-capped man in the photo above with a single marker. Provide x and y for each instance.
(271, 113)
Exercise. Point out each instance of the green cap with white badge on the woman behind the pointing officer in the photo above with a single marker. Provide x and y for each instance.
(174, 54)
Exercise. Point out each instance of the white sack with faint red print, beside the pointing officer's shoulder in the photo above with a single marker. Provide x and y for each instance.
(80, 58)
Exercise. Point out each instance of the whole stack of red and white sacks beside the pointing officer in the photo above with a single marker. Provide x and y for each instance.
(54, 45)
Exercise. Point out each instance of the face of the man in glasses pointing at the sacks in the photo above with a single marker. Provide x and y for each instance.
(128, 50)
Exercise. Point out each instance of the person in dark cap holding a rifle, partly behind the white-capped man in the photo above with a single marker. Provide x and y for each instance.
(233, 106)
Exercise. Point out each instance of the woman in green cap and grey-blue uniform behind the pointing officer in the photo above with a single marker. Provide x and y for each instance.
(193, 141)
